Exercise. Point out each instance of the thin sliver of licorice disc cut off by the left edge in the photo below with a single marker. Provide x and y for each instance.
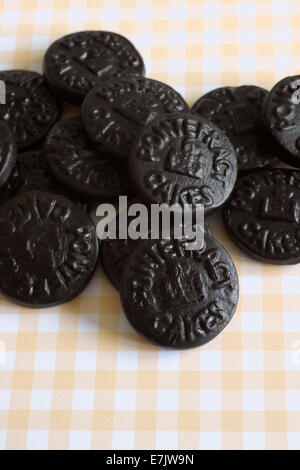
(8, 152)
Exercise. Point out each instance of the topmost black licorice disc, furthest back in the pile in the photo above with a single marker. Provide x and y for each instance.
(76, 63)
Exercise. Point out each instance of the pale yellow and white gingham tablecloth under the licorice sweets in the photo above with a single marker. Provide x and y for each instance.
(77, 376)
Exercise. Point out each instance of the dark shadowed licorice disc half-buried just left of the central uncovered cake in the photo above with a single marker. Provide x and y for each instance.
(77, 164)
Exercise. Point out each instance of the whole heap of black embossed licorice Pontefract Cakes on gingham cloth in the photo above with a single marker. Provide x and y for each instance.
(138, 137)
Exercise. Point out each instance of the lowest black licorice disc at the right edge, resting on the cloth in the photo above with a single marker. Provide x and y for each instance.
(262, 215)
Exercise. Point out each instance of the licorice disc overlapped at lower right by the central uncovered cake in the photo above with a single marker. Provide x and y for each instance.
(115, 112)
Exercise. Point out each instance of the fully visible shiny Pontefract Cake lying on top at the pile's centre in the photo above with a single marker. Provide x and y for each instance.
(183, 159)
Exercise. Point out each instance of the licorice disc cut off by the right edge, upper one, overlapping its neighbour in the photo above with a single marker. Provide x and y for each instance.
(281, 111)
